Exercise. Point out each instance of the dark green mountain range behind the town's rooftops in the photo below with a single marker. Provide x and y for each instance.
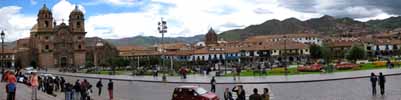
(326, 25)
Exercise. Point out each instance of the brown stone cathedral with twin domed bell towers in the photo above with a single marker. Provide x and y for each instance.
(58, 45)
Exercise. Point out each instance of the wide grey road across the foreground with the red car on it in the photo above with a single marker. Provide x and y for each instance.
(352, 89)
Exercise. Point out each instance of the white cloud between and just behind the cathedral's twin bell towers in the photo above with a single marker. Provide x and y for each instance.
(62, 10)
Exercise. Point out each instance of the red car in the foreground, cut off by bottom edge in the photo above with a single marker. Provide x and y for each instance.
(193, 93)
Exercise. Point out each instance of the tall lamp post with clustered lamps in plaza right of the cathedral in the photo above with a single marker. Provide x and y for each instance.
(162, 28)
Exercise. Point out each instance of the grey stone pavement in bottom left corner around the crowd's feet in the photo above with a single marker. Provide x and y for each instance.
(24, 93)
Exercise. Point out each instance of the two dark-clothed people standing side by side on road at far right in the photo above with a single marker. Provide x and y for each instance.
(374, 79)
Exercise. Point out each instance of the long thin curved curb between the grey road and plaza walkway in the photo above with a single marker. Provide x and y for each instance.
(267, 82)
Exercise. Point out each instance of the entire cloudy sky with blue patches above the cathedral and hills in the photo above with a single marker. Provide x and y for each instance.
(126, 18)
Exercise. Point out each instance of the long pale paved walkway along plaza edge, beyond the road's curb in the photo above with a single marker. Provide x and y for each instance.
(200, 79)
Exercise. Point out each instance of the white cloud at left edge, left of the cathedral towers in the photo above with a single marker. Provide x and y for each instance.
(15, 24)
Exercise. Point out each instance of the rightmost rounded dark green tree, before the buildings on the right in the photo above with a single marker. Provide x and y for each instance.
(355, 53)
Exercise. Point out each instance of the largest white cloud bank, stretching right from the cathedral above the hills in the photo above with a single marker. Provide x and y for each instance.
(188, 17)
